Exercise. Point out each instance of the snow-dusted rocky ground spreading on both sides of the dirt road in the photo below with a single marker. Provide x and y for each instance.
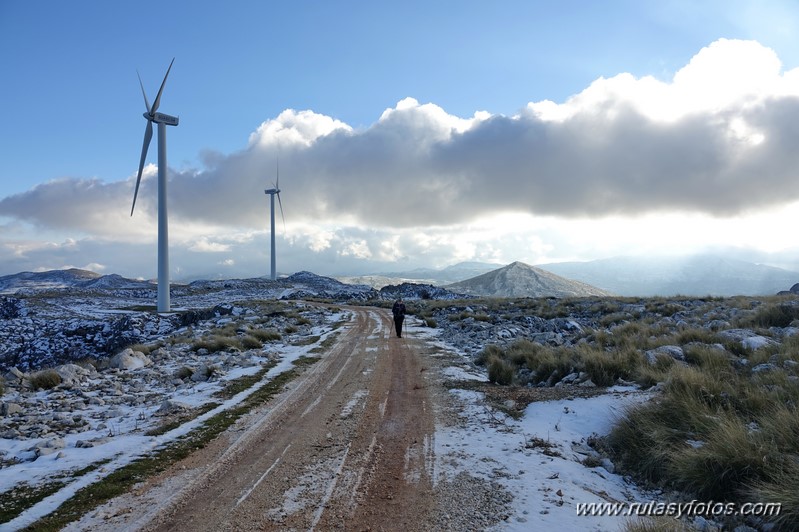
(105, 391)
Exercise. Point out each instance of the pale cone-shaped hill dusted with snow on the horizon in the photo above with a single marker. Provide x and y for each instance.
(522, 280)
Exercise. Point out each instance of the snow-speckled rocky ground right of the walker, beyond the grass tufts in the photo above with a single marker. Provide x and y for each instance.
(471, 326)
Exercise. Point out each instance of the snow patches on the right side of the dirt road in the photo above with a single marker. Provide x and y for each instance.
(537, 458)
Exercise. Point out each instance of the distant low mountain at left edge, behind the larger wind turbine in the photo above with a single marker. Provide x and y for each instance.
(63, 279)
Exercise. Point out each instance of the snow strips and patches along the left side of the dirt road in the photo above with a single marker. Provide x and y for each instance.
(120, 438)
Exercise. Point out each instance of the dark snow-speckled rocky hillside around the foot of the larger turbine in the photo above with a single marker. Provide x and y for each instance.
(70, 315)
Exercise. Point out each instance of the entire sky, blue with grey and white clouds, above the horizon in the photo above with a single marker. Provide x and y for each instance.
(364, 96)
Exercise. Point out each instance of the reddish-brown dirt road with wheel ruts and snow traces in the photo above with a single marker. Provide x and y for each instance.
(349, 445)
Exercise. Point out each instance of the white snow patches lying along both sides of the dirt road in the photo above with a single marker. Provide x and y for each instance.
(546, 487)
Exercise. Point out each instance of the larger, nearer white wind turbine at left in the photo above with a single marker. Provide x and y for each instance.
(162, 120)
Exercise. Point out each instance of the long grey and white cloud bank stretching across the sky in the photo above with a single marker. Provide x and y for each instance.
(718, 139)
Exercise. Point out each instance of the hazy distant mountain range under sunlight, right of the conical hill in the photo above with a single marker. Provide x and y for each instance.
(698, 275)
